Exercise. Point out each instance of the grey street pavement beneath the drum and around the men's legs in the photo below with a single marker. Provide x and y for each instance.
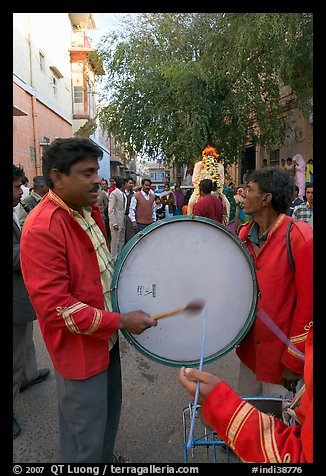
(151, 425)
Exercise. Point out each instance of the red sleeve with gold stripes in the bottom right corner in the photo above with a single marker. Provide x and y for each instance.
(260, 438)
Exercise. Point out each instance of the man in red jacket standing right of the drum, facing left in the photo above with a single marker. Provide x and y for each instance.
(268, 365)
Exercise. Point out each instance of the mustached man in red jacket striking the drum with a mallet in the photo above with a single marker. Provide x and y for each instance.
(67, 269)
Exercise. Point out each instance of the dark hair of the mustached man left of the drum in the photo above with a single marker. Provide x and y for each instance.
(63, 153)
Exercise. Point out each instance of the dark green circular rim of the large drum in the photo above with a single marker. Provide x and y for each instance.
(122, 258)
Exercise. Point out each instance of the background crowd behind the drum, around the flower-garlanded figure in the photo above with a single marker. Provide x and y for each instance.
(209, 172)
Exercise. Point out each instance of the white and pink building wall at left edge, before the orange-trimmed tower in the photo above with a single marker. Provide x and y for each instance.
(41, 85)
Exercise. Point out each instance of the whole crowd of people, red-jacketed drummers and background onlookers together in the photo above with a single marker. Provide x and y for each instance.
(75, 221)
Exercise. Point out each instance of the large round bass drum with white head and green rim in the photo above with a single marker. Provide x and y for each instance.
(169, 264)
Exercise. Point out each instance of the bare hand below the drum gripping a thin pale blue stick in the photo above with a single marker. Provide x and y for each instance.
(189, 378)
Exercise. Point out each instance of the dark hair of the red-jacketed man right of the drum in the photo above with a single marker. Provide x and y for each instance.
(277, 182)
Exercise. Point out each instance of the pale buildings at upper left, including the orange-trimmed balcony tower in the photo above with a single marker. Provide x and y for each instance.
(54, 86)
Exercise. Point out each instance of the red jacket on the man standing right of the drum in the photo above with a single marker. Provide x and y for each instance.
(286, 296)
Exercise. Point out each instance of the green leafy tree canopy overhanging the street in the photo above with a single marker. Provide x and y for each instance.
(180, 81)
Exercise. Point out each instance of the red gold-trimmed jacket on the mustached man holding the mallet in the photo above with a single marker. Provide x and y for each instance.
(62, 276)
